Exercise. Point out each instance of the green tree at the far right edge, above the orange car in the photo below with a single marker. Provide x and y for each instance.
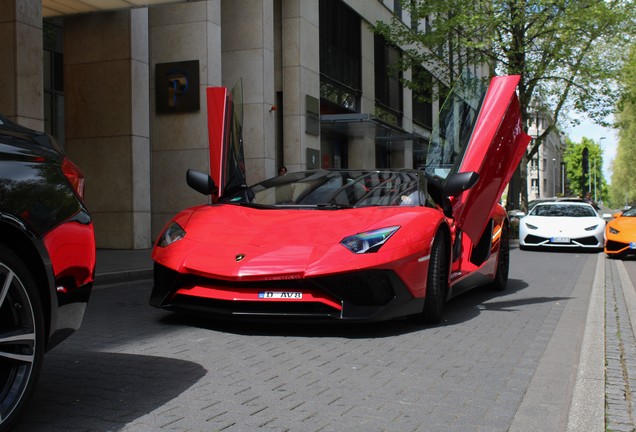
(623, 189)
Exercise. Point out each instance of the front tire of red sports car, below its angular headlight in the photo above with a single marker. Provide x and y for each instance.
(436, 282)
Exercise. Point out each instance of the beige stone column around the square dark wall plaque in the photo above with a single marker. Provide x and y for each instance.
(182, 32)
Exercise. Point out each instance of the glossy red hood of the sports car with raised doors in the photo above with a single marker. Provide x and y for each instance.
(232, 241)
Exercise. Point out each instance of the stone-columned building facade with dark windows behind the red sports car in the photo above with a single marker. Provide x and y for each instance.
(123, 90)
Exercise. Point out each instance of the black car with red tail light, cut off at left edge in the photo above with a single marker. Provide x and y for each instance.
(47, 258)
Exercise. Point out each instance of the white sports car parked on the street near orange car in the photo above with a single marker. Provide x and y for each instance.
(562, 224)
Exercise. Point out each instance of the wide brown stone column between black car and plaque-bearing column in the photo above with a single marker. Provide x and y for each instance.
(107, 121)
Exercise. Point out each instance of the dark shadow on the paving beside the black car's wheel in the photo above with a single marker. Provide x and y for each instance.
(99, 391)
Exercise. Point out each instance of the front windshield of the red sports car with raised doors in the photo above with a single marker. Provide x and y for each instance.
(335, 189)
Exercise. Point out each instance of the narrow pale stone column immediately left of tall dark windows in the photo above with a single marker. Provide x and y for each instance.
(301, 76)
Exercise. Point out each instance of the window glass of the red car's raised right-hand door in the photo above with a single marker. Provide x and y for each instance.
(451, 134)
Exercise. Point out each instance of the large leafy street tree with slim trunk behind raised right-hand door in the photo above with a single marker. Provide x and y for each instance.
(567, 52)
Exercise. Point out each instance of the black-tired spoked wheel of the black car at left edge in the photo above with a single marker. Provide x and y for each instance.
(21, 337)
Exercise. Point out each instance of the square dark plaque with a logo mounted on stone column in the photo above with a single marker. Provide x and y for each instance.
(177, 86)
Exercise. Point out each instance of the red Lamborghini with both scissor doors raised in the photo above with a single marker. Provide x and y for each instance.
(352, 245)
